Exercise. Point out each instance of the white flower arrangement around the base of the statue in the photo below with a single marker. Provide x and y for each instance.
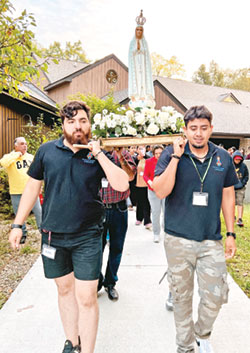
(146, 122)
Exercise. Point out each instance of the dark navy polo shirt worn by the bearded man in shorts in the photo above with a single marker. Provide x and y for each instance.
(72, 184)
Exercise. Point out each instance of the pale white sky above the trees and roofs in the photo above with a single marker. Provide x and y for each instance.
(195, 31)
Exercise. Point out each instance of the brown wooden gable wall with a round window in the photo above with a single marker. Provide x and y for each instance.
(92, 81)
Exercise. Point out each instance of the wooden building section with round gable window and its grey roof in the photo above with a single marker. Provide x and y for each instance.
(98, 78)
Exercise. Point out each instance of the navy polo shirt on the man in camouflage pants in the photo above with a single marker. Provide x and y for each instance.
(182, 219)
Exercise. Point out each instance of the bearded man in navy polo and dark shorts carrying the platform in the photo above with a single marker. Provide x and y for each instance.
(72, 221)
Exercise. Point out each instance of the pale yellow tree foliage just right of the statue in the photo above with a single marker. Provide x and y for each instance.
(166, 67)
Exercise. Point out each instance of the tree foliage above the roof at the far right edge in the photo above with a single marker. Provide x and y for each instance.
(216, 76)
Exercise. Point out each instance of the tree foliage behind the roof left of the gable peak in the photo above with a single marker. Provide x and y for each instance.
(71, 52)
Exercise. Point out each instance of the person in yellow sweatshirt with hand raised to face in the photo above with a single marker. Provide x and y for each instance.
(16, 164)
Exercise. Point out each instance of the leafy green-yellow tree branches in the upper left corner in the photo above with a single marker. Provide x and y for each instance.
(16, 48)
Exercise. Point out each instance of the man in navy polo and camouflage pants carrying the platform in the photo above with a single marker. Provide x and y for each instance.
(197, 179)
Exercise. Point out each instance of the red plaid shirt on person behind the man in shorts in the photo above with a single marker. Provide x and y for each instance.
(109, 195)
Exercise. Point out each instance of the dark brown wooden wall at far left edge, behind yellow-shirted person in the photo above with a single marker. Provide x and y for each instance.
(10, 128)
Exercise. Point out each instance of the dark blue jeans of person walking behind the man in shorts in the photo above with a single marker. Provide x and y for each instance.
(116, 224)
